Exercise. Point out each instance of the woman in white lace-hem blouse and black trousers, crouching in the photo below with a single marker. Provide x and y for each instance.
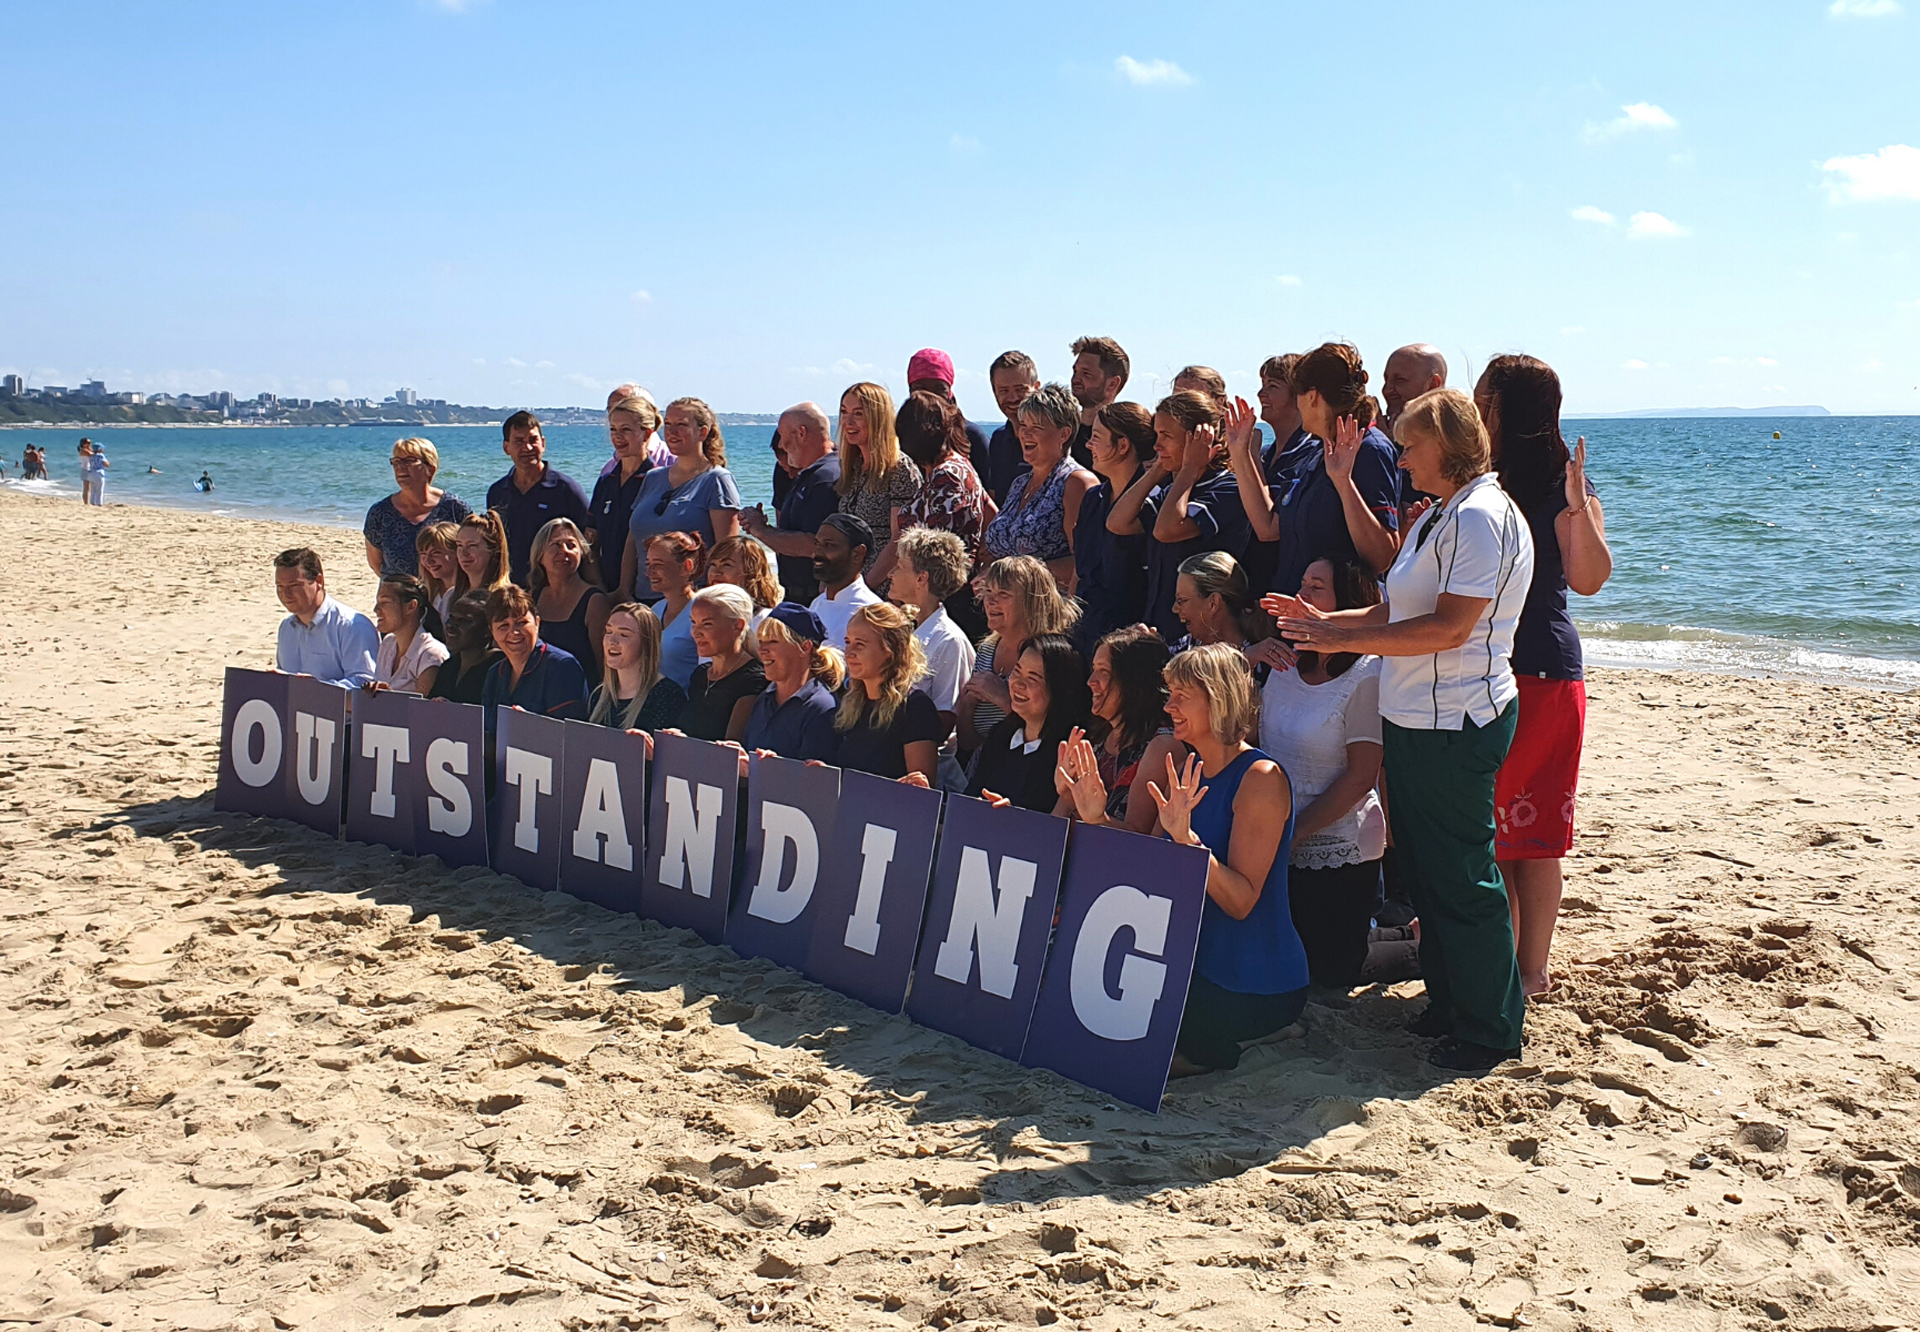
(1322, 725)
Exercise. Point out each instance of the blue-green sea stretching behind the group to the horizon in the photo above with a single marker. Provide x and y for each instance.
(1779, 548)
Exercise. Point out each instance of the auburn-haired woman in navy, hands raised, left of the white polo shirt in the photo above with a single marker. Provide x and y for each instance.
(1343, 494)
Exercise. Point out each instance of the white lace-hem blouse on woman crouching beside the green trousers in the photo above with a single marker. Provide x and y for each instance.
(1307, 730)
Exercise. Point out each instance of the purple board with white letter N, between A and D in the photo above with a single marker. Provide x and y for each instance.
(690, 836)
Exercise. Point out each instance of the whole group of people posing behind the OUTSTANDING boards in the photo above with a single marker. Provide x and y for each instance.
(1339, 659)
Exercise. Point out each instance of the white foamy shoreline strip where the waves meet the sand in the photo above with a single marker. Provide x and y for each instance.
(1691, 652)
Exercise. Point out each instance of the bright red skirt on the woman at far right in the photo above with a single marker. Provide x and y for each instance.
(1537, 784)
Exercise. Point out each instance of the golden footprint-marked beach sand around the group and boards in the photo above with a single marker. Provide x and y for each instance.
(260, 1080)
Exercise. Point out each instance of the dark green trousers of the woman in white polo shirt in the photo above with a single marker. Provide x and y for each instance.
(1441, 801)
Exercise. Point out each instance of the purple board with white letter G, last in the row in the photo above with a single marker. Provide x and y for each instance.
(1116, 980)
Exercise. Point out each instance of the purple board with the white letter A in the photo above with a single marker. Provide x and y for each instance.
(606, 805)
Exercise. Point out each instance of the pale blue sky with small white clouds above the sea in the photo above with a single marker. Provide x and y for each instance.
(510, 202)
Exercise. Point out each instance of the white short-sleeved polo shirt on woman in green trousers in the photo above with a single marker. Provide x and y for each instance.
(1474, 546)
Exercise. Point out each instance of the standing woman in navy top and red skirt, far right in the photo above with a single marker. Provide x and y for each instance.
(1520, 400)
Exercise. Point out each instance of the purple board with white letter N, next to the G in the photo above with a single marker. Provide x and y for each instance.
(988, 920)
